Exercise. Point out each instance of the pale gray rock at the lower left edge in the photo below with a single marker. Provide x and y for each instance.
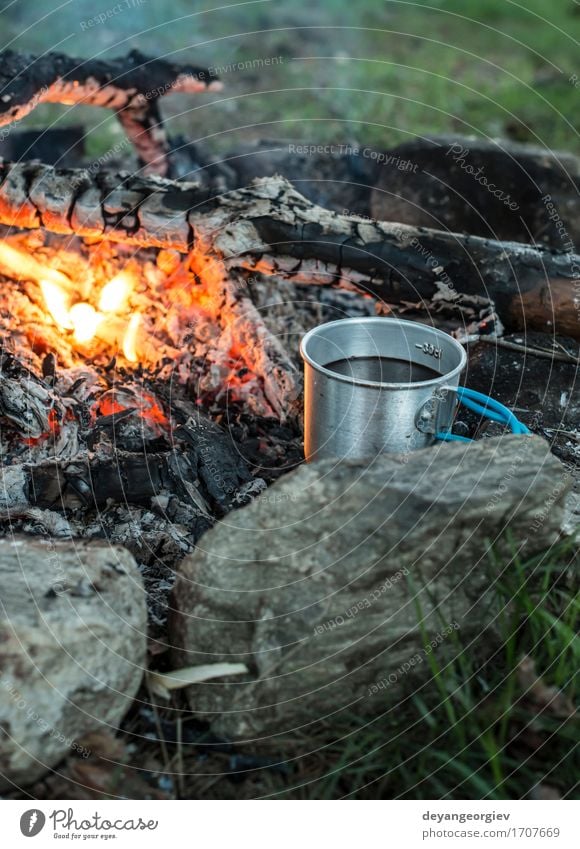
(72, 649)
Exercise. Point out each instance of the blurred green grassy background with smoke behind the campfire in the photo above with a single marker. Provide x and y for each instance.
(371, 71)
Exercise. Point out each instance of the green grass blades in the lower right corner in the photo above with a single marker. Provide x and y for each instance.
(477, 732)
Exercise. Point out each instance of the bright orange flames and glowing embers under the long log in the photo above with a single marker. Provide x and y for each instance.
(96, 323)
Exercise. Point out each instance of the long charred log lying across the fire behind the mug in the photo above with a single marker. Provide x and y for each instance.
(271, 228)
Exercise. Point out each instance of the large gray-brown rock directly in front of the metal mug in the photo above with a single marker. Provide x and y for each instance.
(331, 584)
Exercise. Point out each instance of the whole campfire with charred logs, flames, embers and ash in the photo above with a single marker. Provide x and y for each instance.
(146, 383)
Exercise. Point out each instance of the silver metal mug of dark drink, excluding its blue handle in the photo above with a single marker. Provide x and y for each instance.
(374, 385)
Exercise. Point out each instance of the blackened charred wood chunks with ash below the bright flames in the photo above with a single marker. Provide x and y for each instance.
(120, 447)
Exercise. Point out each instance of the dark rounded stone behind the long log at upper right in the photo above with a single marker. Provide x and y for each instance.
(496, 189)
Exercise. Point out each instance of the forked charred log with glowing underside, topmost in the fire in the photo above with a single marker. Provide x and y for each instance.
(131, 86)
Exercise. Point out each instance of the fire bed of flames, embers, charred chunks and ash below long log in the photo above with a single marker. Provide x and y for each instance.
(117, 368)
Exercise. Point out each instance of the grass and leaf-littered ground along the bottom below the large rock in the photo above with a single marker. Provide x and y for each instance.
(473, 726)
